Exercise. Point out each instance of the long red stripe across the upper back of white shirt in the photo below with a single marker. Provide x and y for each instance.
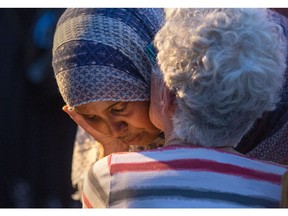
(196, 164)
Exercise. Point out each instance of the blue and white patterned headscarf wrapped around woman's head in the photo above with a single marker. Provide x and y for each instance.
(103, 54)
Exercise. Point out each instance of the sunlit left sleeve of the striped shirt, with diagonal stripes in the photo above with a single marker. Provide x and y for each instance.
(97, 185)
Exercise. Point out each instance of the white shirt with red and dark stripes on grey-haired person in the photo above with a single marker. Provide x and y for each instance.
(182, 177)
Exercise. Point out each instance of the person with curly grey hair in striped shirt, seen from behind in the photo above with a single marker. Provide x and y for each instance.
(222, 68)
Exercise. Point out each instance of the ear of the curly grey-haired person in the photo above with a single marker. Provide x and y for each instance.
(168, 100)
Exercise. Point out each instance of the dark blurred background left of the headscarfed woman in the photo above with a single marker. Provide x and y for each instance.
(37, 137)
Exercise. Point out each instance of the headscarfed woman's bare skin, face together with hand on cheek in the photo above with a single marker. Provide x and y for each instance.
(116, 125)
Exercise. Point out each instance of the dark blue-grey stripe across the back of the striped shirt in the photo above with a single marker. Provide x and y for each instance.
(186, 194)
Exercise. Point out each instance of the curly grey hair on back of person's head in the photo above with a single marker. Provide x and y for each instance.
(226, 68)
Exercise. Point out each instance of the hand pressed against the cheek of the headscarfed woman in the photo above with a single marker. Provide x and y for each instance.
(109, 143)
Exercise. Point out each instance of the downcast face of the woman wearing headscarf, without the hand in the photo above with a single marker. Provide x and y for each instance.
(126, 121)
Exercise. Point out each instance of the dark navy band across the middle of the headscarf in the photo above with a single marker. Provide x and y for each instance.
(86, 53)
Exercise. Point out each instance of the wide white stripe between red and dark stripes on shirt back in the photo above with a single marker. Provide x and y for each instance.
(198, 181)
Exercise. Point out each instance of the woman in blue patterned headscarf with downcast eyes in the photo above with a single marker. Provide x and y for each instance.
(102, 64)
